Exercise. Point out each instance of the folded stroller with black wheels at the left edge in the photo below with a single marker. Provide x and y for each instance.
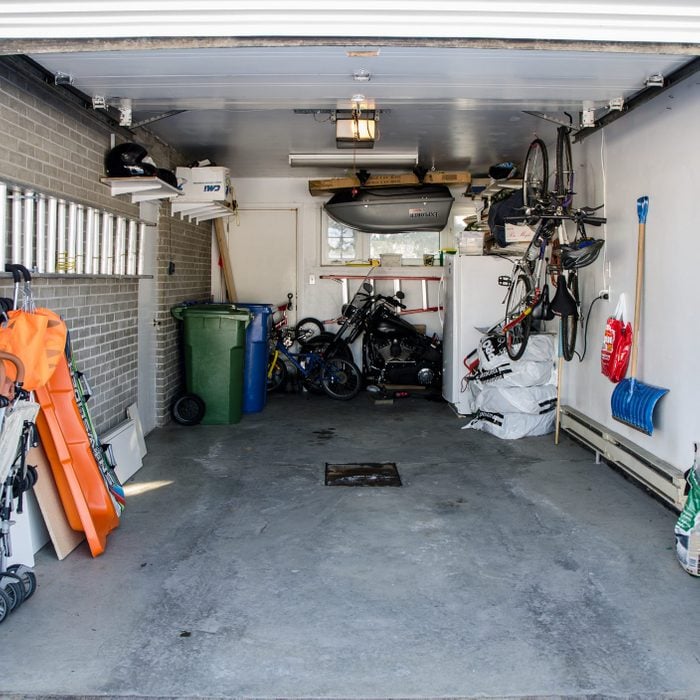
(17, 435)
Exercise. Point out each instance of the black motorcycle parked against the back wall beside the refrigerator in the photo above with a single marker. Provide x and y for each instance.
(396, 356)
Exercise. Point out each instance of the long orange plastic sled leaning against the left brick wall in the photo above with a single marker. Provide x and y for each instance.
(84, 494)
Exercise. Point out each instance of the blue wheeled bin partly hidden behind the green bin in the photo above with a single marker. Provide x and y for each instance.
(256, 356)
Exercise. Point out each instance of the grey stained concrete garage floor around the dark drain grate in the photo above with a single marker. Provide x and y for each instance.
(498, 569)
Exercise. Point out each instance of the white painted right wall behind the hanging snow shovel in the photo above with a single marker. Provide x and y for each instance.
(654, 151)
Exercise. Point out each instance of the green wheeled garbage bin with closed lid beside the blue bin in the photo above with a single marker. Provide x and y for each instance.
(214, 347)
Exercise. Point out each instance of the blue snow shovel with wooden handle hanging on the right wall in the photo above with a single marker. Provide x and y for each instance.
(633, 401)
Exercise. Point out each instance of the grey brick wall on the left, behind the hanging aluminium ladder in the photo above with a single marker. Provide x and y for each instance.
(58, 147)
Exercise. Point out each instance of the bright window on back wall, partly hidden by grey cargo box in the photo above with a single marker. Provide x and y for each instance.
(342, 244)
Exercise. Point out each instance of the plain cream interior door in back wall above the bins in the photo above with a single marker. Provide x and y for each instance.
(263, 251)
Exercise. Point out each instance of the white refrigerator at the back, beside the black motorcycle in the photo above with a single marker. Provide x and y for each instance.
(472, 298)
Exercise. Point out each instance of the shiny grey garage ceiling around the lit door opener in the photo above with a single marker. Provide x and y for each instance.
(461, 108)
